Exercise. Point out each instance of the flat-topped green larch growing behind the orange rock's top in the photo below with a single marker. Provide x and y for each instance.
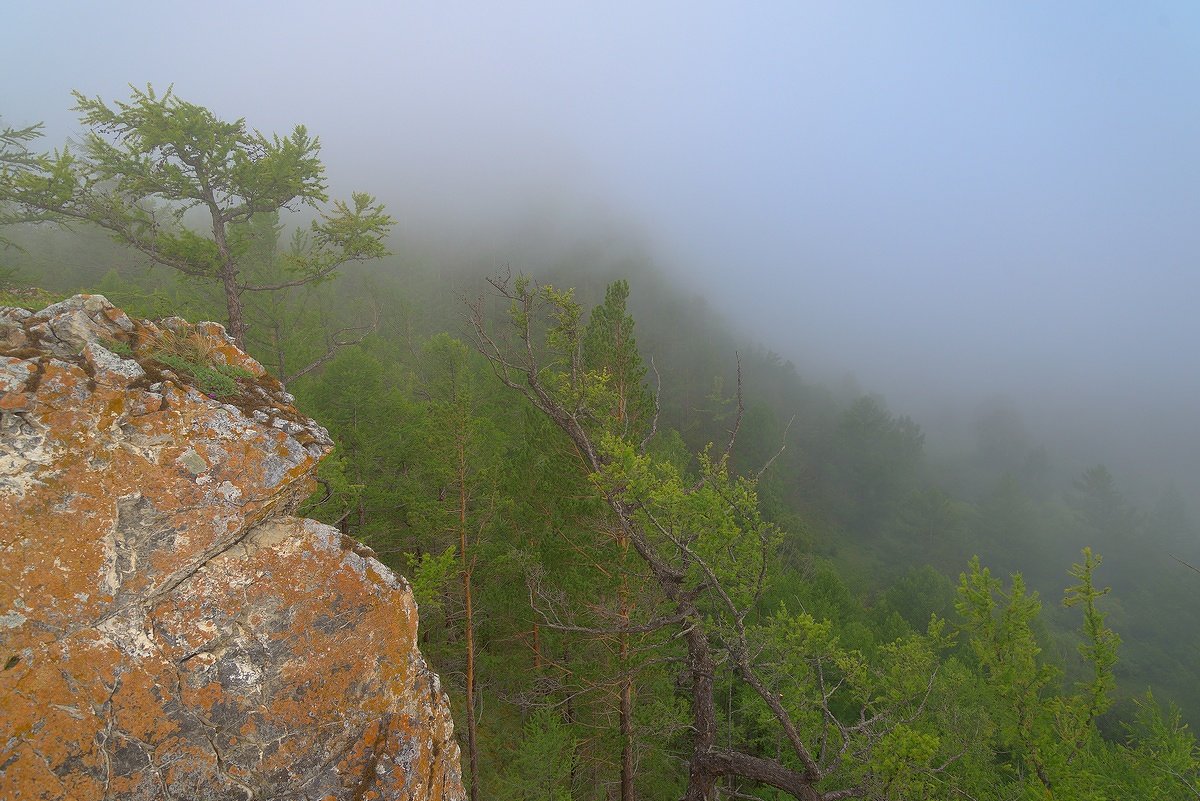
(145, 165)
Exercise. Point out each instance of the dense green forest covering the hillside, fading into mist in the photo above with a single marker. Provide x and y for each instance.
(652, 559)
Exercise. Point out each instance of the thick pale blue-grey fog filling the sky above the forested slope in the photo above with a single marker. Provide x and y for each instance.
(951, 202)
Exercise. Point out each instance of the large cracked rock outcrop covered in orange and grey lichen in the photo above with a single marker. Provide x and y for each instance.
(167, 631)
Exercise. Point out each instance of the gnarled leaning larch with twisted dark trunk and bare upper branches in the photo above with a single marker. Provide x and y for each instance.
(707, 557)
